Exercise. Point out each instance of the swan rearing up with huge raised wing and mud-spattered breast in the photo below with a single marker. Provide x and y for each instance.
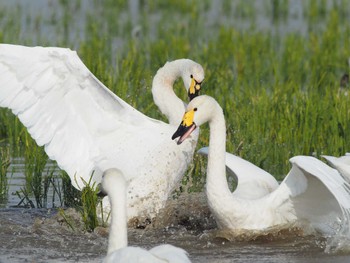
(87, 129)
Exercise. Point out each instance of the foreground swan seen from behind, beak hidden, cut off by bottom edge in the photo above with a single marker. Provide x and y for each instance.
(114, 184)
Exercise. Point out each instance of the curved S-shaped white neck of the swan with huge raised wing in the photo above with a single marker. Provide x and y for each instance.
(163, 94)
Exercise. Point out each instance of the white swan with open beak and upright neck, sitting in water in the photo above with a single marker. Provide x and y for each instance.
(312, 192)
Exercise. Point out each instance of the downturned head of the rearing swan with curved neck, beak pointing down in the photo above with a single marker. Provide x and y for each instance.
(193, 76)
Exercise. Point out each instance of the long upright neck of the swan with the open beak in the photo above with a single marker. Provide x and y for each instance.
(217, 186)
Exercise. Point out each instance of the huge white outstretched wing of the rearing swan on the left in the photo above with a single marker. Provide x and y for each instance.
(83, 125)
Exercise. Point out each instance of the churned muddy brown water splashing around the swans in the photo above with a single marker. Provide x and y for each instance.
(41, 235)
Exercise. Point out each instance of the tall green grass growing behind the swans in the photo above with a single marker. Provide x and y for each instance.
(279, 89)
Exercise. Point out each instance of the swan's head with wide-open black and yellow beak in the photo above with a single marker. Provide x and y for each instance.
(198, 112)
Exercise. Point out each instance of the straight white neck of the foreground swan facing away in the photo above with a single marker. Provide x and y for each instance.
(118, 236)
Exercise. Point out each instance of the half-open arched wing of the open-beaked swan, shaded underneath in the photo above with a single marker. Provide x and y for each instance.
(318, 194)
